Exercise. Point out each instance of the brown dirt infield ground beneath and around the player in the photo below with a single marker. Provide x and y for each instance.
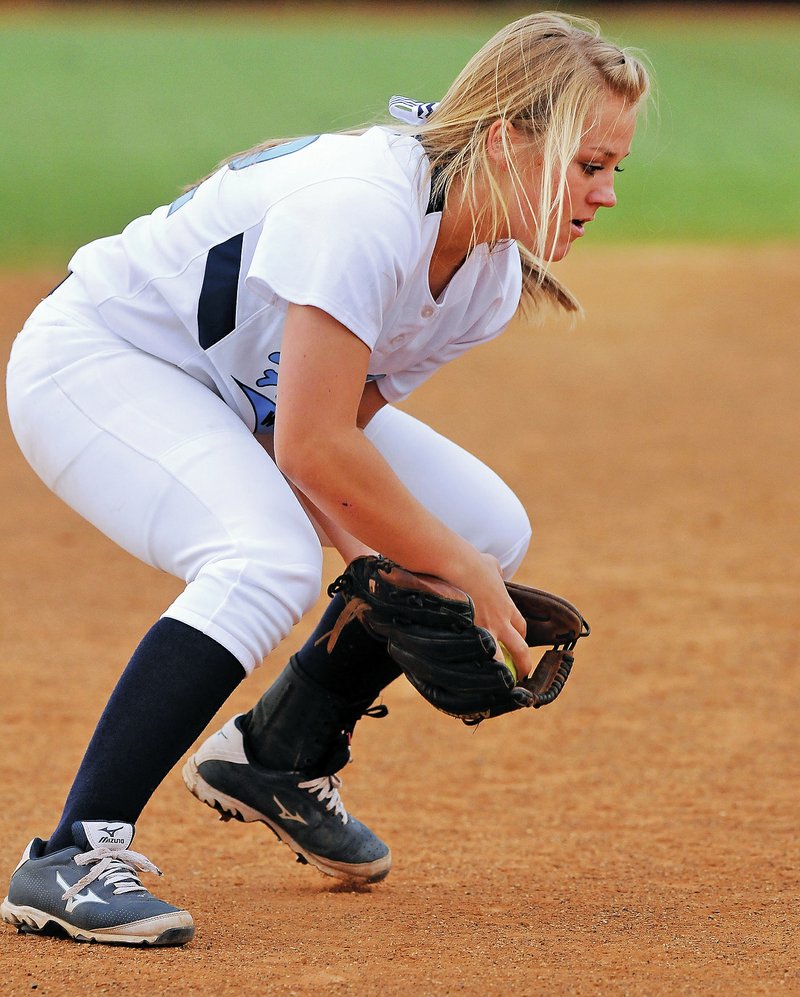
(638, 837)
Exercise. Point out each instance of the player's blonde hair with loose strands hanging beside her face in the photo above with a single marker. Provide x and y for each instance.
(546, 74)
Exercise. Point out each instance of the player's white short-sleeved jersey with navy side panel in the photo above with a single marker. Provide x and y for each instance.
(338, 222)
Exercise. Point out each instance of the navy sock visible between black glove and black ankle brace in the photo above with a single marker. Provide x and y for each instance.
(357, 669)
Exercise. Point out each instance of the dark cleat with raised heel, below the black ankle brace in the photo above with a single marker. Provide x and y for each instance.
(304, 811)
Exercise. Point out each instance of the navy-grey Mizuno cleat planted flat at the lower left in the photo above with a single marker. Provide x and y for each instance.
(91, 891)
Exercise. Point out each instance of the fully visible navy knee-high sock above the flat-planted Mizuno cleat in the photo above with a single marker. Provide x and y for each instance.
(175, 682)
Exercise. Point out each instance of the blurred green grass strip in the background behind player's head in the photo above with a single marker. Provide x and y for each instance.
(106, 115)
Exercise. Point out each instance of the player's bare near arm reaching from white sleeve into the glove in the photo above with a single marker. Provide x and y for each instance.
(320, 447)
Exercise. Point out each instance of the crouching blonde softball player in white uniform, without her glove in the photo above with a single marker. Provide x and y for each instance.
(213, 389)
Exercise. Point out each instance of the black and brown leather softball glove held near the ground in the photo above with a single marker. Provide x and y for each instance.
(429, 629)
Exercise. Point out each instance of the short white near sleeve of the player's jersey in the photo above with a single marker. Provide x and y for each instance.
(342, 245)
